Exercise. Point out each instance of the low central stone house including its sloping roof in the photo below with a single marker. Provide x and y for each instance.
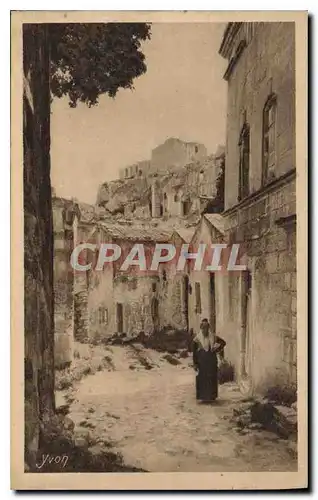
(124, 301)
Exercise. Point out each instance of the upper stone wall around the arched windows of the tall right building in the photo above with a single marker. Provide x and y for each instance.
(266, 65)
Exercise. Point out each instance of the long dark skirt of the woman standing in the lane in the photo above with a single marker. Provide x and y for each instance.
(207, 377)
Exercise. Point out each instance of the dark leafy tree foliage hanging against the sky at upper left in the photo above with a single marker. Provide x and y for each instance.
(90, 59)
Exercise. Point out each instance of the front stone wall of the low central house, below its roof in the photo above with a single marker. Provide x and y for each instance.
(133, 291)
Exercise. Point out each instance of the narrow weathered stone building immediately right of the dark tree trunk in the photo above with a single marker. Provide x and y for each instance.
(73, 222)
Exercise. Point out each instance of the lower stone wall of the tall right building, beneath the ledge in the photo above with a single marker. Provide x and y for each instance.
(266, 228)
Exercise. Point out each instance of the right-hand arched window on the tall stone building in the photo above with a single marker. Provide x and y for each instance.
(269, 139)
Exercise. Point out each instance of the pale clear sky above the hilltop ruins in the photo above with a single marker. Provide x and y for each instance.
(181, 95)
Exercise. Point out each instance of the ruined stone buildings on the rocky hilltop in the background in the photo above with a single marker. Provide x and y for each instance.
(179, 182)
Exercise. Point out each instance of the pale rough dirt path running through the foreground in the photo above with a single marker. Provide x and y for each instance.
(152, 418)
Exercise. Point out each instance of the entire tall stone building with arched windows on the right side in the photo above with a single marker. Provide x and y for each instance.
(258, 315)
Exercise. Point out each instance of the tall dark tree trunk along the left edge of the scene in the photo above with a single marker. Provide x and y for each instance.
(38, 238)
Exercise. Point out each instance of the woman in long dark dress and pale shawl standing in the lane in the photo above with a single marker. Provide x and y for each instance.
(206, 345)
